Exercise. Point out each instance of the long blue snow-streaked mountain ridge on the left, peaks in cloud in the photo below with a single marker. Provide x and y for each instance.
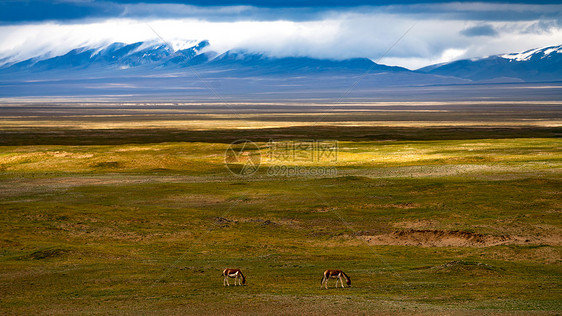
(159, 57)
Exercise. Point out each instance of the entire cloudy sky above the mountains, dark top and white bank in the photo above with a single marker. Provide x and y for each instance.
(406, 33)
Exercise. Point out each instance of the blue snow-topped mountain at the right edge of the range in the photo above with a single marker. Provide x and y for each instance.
(540, 64)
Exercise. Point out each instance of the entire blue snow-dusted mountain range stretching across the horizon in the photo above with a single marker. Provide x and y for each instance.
(151, 68)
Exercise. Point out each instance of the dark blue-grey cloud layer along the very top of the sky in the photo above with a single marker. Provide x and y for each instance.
(18, 11)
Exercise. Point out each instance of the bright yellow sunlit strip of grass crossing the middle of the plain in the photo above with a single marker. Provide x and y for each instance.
(202, 158)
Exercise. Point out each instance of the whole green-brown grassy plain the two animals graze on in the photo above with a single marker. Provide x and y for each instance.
(432, 220)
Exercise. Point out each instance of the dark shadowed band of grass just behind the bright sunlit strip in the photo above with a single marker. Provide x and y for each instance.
(84, 136)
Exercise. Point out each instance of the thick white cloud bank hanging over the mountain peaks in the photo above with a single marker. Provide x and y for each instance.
(336, 36)
